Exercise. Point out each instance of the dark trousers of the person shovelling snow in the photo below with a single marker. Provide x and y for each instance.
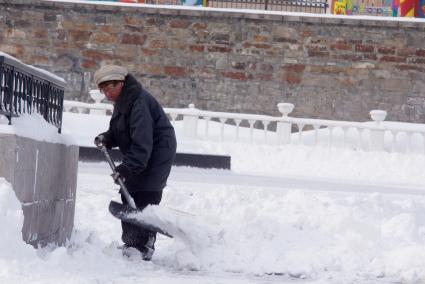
(132, 235)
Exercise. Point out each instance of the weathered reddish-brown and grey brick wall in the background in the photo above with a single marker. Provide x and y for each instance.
(336, 68)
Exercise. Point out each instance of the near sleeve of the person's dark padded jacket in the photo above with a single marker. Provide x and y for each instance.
(141, 132)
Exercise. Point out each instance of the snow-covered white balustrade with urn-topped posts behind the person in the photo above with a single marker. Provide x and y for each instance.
(374, 135)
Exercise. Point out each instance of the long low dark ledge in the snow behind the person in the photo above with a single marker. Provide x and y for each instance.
(91, 154)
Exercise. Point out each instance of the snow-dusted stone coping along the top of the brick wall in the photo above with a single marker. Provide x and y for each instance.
(413, 23)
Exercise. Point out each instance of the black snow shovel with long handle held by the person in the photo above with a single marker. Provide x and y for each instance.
(126, 212)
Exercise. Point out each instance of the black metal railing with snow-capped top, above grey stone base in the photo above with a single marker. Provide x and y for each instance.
(25, 89)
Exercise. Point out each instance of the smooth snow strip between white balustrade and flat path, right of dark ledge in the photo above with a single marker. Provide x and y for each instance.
(330, 163)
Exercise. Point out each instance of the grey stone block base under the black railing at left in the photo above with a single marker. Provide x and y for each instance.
(44, 178)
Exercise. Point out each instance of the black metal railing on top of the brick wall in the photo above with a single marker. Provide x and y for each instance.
(307, 6)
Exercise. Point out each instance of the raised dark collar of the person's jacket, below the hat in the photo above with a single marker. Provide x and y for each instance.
(129, 93)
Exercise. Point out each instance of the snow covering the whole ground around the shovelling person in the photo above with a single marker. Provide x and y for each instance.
(270, 233)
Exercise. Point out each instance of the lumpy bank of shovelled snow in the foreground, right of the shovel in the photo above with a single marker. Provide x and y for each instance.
(303, 234)
